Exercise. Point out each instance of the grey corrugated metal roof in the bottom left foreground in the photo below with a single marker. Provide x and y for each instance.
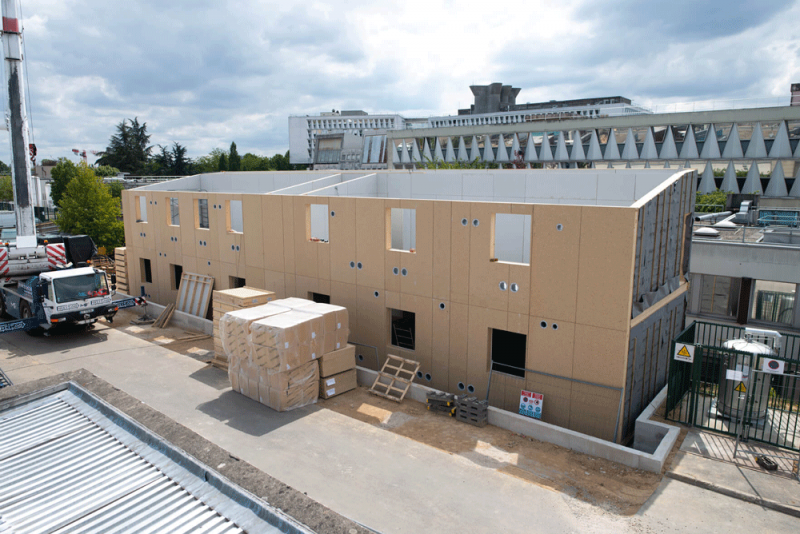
(62, 470)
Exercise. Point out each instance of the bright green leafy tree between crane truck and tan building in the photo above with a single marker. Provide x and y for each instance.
(87, 207)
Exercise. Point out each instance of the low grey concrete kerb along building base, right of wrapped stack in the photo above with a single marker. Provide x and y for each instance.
(661, 437)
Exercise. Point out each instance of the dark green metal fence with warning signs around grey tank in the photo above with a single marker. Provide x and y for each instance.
(754, 396)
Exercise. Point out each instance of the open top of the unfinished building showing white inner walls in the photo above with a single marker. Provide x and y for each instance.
(598, 187)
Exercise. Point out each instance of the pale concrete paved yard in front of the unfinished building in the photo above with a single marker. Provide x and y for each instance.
(376, 477)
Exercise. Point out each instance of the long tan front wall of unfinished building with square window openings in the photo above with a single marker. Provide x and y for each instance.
(451, 285)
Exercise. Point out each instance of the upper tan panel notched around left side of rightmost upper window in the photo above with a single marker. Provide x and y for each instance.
(486, 276)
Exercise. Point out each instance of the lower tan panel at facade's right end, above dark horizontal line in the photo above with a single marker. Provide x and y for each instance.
(600, 355)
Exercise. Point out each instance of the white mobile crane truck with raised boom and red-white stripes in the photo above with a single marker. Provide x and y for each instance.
(42, 284)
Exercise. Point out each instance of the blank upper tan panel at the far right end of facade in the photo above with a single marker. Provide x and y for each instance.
(605, 276)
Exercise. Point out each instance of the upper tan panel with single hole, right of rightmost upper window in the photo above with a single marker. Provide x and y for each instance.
(554, 261)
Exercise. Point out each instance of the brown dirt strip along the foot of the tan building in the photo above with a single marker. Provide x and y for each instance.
(614, 487)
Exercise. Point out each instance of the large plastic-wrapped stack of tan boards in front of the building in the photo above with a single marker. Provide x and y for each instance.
(278, 351)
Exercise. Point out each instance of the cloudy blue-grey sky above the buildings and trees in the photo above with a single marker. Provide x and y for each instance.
(205, 73)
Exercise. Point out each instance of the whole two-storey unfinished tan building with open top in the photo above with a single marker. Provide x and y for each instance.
(566, 283)
